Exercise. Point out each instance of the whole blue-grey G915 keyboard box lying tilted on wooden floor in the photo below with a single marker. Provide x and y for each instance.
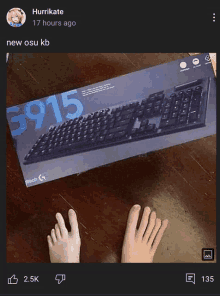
(143, 111)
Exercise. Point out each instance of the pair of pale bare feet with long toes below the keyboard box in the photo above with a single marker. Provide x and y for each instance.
(139, 245)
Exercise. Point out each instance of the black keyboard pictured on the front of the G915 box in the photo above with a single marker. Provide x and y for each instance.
(180, 108)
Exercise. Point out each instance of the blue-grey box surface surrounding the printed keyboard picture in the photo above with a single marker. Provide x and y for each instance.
(29, 121)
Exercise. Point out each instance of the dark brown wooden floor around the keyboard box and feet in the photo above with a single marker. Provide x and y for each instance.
(178, 182)
